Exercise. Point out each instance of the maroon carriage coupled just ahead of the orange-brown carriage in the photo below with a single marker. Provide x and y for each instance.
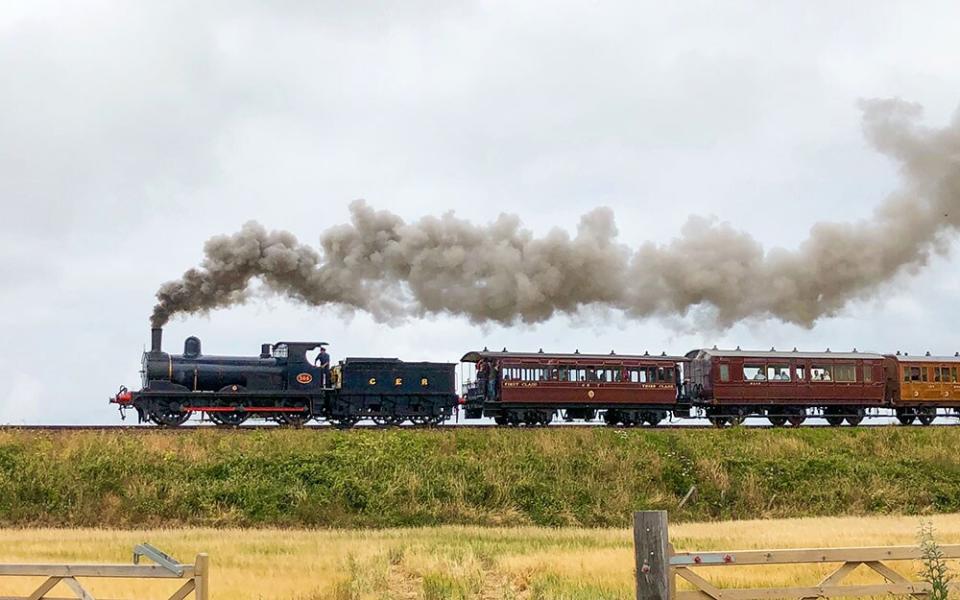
(786, 387)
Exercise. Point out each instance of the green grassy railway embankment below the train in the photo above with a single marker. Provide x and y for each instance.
(554, 477)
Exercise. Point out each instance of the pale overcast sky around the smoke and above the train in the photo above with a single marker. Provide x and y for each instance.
(132, 132)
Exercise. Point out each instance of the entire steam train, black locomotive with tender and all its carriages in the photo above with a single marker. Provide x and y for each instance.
(514, 388)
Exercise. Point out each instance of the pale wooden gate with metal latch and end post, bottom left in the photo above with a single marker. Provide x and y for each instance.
(196, 577)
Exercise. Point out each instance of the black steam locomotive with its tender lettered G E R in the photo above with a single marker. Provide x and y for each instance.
(280, 384)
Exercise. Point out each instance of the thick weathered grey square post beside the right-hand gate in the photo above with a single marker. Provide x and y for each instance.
(651, 547)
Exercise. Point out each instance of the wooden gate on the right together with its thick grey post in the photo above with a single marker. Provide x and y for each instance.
(658, 566)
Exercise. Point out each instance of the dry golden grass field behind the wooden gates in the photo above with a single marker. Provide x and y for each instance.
(449, 562)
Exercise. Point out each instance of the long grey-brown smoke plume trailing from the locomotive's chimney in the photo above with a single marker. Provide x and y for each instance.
(502, 273)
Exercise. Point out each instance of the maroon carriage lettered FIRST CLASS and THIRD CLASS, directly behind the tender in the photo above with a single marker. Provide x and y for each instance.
(531, 388)
